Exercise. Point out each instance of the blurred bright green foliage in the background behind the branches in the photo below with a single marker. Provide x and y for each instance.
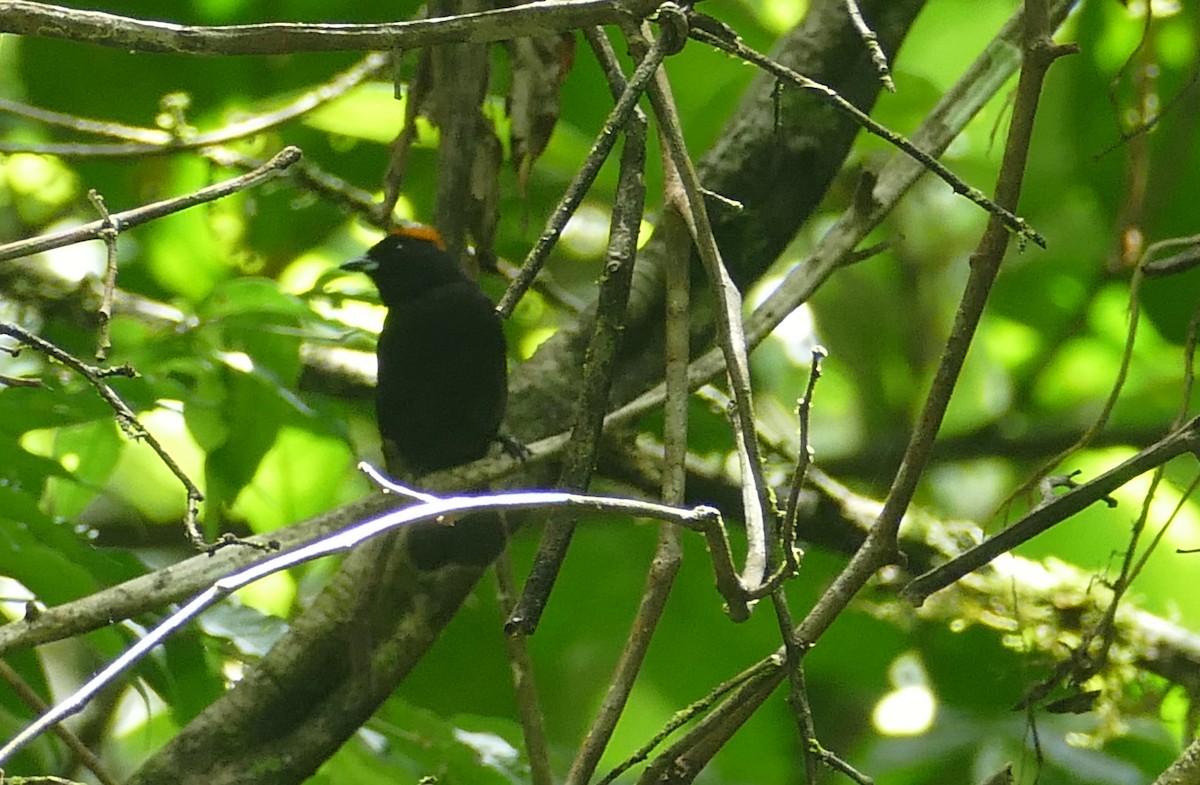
(83, 507)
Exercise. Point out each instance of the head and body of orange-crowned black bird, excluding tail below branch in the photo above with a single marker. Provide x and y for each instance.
(443, 377)
